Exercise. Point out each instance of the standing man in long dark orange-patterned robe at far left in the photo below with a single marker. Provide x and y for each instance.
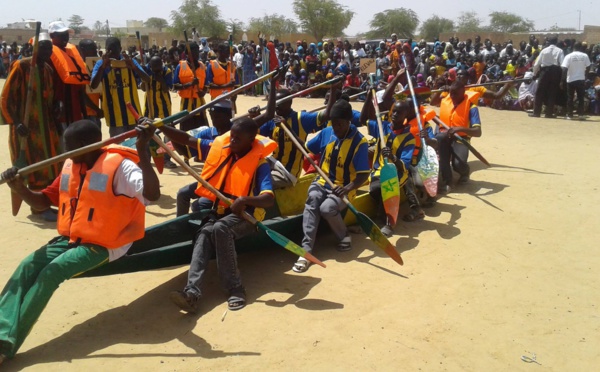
(42, 140)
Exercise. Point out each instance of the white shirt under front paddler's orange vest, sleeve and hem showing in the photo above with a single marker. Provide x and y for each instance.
(128, 181)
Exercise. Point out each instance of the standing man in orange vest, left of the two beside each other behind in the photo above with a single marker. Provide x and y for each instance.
(191, 87)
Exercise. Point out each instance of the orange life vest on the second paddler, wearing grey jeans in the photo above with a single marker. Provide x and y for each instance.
(232, 178)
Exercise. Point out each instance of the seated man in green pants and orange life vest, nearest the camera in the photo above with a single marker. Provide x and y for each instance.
(99, 217)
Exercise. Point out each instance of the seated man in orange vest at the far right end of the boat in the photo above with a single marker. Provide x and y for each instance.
(459, 111)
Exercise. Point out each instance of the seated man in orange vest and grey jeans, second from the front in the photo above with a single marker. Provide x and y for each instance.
(236, 166)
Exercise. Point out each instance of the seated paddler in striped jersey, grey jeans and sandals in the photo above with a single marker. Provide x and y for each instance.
(345, 159)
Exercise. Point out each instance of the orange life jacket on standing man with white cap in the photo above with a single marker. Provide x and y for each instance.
(69, 65)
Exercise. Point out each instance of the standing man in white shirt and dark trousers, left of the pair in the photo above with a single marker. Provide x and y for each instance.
(548, 63)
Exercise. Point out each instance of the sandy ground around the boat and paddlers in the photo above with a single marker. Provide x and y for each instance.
(504, 266)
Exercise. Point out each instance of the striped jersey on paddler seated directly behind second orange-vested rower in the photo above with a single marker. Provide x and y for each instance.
(301, 123)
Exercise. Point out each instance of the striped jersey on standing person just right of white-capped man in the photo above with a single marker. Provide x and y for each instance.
(119, 86)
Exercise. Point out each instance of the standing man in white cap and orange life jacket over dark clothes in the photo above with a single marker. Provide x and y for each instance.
(71, 75)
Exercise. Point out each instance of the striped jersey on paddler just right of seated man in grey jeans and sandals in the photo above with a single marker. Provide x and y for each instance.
(402, 143)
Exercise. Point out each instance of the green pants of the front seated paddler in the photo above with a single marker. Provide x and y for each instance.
(34, 281)
